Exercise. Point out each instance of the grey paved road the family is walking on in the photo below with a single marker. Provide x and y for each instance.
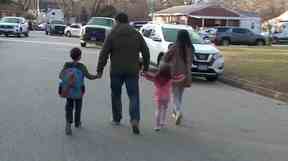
(222, 123)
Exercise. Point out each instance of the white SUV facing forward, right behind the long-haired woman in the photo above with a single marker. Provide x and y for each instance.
(207, 60)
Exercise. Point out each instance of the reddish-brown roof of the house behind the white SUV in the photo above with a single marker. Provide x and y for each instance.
(199, 10)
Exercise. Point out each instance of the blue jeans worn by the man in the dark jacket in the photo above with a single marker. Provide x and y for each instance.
(132, 86)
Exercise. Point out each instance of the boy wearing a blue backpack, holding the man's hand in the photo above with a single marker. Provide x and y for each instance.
(72, 88)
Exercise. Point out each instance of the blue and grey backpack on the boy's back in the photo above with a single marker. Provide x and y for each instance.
(71, 84)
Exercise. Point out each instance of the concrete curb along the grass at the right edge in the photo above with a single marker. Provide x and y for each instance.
(252, 87)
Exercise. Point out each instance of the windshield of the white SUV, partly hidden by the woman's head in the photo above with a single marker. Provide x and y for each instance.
(170, 35)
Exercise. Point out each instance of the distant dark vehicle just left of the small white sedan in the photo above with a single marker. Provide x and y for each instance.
(55, 27)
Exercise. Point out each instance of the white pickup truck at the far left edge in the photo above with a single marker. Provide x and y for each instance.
(14, 26)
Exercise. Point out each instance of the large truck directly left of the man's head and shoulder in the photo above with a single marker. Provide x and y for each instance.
(96, 30)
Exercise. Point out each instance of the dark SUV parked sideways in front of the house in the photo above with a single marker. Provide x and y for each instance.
(237, 36)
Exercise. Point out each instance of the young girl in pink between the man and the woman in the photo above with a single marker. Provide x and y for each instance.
(163, 80)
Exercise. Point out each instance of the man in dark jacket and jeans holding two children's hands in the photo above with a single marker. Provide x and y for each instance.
(123, 45)
